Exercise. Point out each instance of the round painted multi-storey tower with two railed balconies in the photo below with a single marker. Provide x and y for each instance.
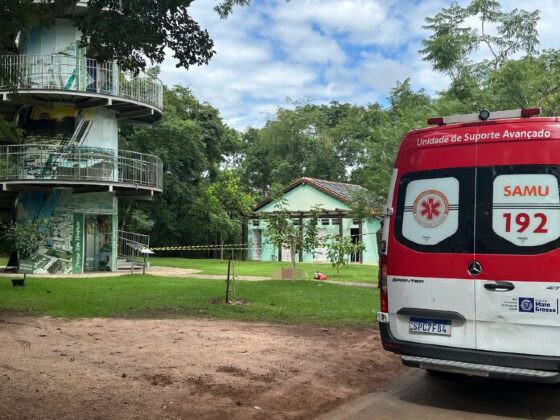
(69, 170)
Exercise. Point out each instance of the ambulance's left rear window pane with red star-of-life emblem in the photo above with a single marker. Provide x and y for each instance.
(435, 210)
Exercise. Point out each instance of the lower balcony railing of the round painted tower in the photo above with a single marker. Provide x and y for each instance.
(38, 162)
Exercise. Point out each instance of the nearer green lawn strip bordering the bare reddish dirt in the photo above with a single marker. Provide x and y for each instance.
(147, 296)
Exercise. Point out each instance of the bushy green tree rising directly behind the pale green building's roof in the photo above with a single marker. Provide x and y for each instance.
(309, 140)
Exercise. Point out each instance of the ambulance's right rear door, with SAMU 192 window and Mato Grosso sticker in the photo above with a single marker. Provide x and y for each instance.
(517, 241)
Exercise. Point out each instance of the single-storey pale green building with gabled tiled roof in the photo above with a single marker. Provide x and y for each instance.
(335, 218)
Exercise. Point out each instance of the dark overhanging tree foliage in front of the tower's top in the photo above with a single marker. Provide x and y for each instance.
(132, 32)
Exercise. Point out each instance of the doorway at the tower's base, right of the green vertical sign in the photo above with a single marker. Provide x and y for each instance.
(99, 243)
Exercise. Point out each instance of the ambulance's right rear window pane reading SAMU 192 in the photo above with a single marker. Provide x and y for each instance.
(518, 209)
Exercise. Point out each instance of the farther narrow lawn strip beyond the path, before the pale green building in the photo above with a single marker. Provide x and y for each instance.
(352, 272)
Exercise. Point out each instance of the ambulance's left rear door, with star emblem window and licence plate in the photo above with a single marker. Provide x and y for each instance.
(430, 293)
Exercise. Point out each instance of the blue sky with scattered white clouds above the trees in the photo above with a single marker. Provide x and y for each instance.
(277, 53)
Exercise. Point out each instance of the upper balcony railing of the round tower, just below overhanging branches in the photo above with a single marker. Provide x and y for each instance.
(77, 74)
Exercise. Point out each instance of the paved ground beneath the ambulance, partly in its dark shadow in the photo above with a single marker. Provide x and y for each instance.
(418, 395)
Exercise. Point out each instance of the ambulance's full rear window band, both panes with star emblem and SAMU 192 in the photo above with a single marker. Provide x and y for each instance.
(517, 210)
